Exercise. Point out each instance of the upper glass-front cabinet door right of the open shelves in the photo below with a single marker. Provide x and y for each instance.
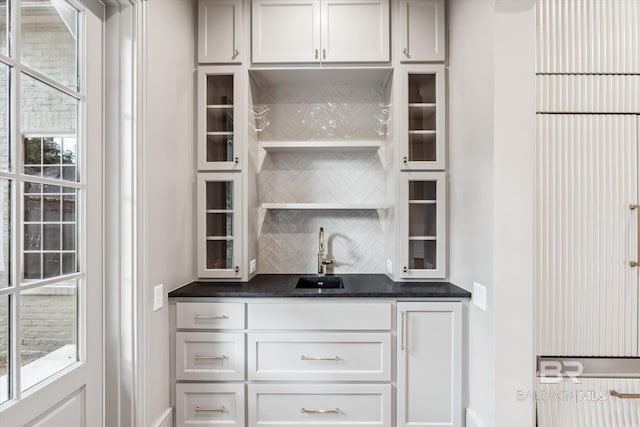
(423, 121)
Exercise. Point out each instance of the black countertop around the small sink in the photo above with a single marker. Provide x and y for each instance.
(355, 286)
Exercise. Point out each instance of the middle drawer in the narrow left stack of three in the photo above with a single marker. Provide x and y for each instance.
(209, 356)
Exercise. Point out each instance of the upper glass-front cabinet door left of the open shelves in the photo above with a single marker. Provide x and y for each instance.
(219, 133)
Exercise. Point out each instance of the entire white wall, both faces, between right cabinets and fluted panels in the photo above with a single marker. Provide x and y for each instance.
(491, 141)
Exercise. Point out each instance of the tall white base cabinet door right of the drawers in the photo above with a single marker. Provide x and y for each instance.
(429, 364)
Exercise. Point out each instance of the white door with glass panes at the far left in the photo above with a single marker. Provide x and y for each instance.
(51, 214)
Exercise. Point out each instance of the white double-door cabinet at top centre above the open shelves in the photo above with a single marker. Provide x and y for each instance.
(320, 31)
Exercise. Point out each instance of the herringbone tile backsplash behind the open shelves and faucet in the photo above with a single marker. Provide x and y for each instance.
(288, 241)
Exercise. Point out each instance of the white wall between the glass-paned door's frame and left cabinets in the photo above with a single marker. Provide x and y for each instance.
(166, 180)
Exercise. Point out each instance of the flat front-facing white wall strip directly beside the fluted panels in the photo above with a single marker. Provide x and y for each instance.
(514, 127)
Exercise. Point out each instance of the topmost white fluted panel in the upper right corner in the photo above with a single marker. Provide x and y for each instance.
(588, 36)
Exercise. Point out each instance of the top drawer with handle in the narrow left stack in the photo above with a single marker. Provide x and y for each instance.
(209, 315)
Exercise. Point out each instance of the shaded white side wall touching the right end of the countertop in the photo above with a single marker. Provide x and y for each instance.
(471, 192)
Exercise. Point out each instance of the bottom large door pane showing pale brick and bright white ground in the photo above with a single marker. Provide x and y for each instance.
(49, 319)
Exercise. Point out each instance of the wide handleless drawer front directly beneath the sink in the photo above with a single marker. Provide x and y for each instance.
(320, 316)
